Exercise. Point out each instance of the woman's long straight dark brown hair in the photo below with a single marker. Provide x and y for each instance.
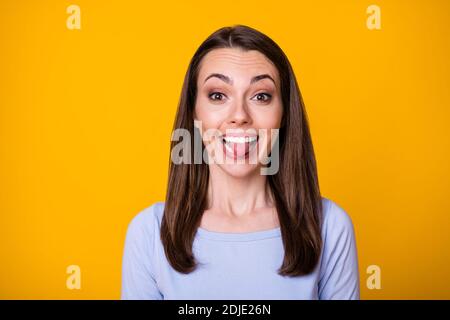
(295, 186)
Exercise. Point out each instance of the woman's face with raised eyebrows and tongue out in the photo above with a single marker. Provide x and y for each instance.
(239, 102)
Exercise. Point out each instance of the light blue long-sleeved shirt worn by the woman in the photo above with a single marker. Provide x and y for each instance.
(236, 266)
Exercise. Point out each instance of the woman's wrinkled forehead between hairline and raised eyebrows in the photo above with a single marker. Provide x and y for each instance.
(235, 62)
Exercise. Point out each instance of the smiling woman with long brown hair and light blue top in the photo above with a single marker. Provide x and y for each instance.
(232, 228)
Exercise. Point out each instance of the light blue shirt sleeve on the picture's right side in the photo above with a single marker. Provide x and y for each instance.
(339, 275)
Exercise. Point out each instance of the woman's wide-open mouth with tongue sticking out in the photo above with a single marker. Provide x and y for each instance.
(239, 147)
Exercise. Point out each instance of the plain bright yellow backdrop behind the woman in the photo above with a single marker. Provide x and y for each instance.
(86, 118)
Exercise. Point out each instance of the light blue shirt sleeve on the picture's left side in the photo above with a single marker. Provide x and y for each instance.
(138, 280)
